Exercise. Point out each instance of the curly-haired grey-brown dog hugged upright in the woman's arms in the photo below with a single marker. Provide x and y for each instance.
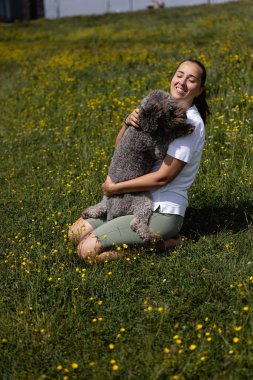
(160, 120)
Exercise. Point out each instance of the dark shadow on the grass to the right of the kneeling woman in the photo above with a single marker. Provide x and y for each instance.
(213, 219)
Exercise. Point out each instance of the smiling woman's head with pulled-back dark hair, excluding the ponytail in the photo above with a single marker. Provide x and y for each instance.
(186, 82)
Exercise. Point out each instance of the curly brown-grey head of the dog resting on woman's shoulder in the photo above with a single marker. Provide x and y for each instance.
(159, 110)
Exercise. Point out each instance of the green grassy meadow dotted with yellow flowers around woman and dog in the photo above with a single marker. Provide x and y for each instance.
(66, 86)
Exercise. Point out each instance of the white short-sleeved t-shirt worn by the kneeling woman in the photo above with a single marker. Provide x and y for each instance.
(173, 197)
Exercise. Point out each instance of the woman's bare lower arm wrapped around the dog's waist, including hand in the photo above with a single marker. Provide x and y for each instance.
(169, 169)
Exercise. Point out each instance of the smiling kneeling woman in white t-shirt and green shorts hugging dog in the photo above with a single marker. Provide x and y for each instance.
(168, 181)
